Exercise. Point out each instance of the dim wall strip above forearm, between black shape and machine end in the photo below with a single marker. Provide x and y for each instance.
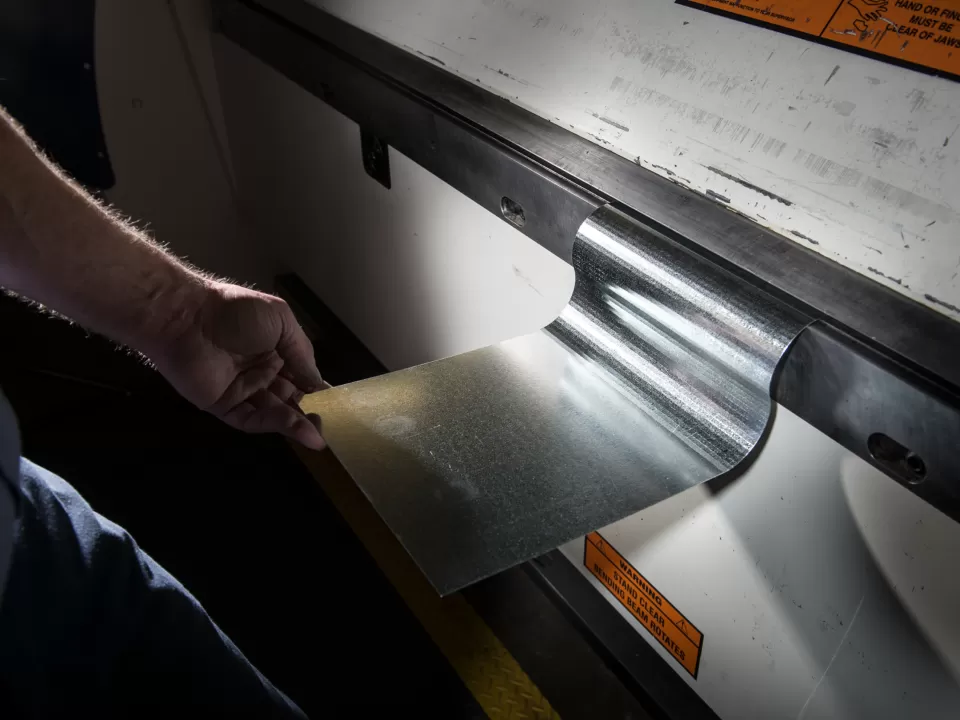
(159, 110)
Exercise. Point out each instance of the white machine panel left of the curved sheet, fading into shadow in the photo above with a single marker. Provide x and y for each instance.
(418, 272)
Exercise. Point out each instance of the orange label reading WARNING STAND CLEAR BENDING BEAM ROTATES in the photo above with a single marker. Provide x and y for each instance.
(661, 619)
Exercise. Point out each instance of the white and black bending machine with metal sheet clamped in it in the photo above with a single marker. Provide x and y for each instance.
(668, 374)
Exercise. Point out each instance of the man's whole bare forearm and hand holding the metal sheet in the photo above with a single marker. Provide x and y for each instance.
(234, 352)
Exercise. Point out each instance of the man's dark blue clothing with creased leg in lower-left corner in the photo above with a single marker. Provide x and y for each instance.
(91, 626)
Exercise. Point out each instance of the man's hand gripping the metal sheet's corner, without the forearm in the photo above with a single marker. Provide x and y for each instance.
(242, 356)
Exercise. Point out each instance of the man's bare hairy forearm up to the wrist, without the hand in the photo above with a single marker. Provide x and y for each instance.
(61, 248)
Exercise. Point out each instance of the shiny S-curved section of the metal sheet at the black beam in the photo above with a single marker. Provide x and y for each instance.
(694, 347)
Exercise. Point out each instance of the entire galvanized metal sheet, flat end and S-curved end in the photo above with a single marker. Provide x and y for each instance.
(655, 377)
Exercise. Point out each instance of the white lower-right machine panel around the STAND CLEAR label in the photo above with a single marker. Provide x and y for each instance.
(822, 588)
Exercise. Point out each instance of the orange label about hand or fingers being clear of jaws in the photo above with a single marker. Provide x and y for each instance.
(922, 35)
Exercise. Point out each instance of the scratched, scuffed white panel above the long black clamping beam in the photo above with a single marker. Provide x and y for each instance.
(850, 156)
